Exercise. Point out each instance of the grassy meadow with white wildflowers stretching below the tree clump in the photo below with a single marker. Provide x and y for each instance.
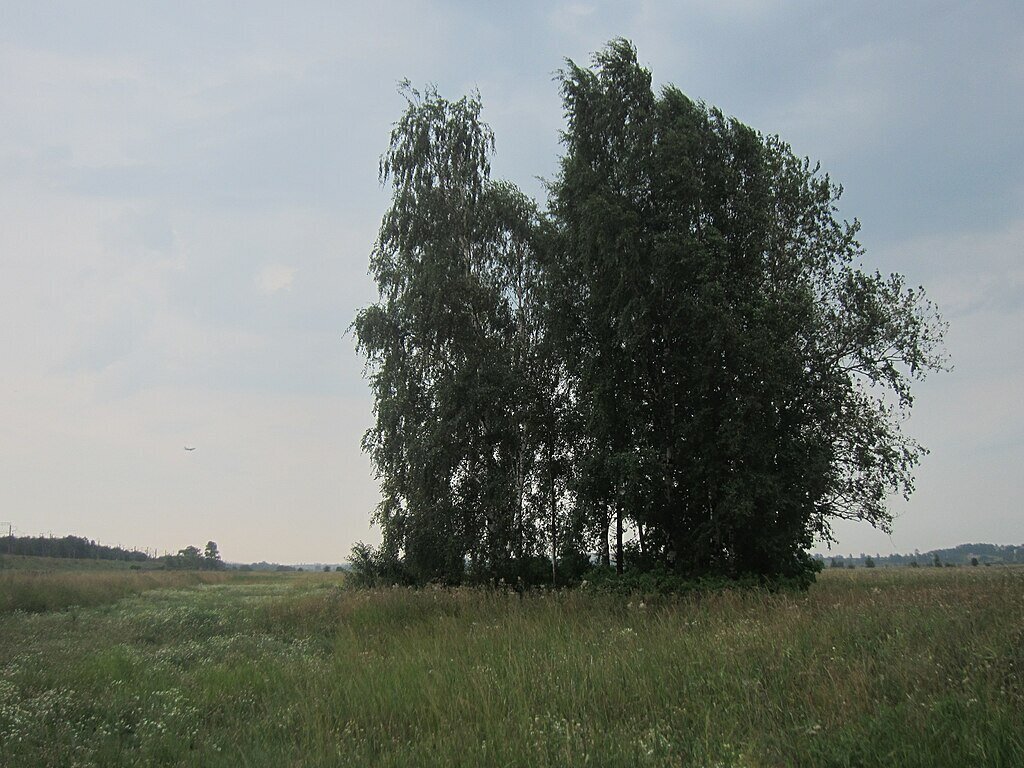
(870, 668)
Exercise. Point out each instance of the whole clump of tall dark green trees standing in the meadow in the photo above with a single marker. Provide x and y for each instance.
(679, 363)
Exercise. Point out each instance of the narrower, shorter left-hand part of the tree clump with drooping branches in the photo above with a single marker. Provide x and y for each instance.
(464, 393)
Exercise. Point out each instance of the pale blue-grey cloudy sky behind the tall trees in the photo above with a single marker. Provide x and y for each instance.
(189, 197)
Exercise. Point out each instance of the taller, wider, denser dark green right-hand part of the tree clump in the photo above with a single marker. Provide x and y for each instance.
(741, 380)
